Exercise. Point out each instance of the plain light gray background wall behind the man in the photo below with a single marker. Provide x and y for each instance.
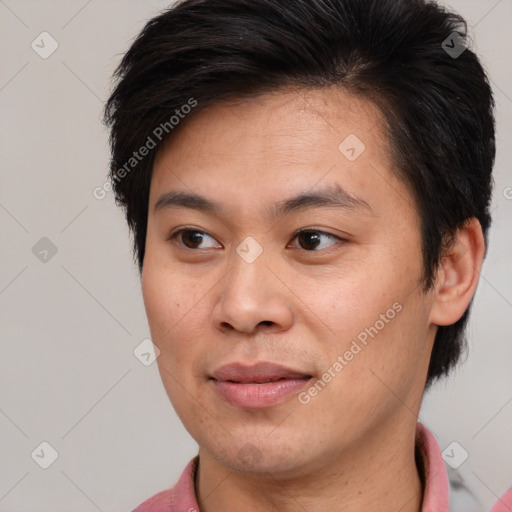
(68, 375)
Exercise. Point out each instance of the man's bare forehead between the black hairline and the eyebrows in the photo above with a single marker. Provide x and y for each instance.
(276, 145)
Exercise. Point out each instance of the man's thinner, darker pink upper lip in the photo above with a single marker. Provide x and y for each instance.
(259, 372)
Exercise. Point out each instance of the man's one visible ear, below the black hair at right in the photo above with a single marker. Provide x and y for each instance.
(458, 274)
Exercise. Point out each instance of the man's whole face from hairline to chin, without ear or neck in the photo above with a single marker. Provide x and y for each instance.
(302, 250)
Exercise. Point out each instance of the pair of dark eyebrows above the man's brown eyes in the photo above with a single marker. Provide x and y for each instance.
(331, 196)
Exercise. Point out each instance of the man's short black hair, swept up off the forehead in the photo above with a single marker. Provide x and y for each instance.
(411, 58)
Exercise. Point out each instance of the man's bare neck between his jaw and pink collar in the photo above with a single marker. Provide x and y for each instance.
(381, 470)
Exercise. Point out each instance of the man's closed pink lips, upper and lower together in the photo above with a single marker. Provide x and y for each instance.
(259, 385)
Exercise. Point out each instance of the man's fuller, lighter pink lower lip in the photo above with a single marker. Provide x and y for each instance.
(258, 396)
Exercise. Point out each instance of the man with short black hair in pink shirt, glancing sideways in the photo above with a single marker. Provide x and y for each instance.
(308, 184)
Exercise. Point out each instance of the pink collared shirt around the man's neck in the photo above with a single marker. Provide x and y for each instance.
(181, 497)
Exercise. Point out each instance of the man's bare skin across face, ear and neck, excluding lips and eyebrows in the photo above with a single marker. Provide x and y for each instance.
(298, 304)
